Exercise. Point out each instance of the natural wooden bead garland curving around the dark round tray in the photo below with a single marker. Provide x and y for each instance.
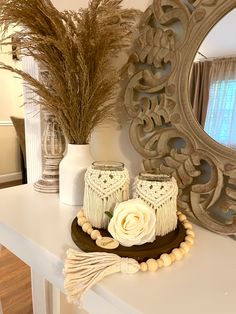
(151, 264)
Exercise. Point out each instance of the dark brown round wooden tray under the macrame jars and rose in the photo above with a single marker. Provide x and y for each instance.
(140, 253)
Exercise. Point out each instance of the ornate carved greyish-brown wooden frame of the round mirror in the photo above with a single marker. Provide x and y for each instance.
(163, 128)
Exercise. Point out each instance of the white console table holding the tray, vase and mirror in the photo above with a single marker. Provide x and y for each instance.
(36, 228)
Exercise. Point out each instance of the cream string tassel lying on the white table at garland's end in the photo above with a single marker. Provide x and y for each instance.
(84, 270)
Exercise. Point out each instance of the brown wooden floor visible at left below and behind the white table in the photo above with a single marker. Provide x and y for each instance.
(15, 282)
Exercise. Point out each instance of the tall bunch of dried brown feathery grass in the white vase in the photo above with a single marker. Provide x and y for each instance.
(77, 50)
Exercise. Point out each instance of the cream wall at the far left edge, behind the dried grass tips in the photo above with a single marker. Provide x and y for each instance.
(11, 101)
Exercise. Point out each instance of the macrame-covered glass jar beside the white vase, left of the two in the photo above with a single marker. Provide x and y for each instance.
(106, 183)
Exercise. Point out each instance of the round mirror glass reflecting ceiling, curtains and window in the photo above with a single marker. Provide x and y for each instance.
(213, 82)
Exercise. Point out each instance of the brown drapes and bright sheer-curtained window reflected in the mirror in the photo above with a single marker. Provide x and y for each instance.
(213, 97)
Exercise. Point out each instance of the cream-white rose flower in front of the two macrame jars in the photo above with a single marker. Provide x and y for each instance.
(133, 223)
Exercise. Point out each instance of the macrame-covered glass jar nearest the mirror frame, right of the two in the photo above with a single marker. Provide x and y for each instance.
(160, 192)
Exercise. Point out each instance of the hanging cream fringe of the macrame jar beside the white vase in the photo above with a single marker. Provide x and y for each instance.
(95, 206)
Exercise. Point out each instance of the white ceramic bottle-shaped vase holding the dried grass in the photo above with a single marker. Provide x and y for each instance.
(71, 173)
